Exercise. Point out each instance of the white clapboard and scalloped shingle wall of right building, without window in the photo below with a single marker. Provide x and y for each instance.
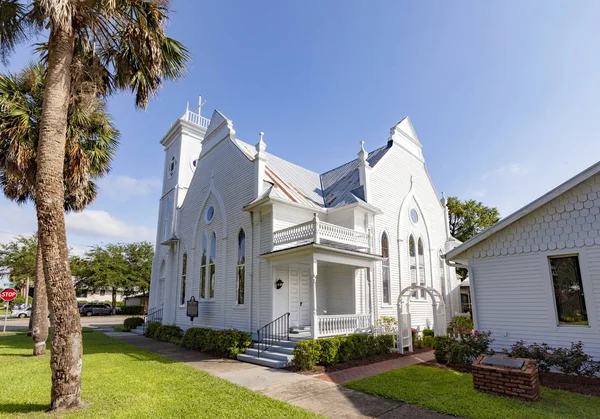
(513, 285)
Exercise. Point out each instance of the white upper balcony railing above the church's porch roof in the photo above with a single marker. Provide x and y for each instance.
(315, 231)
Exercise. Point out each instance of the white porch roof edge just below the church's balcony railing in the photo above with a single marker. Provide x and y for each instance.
(325, 253)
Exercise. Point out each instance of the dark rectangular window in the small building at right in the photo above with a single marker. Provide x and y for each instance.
(568, 291)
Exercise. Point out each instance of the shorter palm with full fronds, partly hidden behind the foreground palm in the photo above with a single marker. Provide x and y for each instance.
(91, 143)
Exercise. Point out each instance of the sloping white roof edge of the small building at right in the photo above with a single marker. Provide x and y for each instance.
(527, 209)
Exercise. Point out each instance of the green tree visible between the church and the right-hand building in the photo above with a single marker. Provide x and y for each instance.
(469, 218)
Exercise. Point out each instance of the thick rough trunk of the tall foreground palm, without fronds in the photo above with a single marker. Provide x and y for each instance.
(66, 345)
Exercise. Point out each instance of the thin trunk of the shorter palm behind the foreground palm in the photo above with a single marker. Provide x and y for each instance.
(39, 312)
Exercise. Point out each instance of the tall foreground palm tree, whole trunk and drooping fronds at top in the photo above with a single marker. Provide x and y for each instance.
(128, 50)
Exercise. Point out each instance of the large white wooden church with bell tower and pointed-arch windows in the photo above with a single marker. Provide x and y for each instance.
(255, 238)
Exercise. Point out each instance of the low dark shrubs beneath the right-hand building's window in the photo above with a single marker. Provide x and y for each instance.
(571, 360)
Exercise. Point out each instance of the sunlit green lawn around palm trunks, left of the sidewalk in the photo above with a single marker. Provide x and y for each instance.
(121, 381)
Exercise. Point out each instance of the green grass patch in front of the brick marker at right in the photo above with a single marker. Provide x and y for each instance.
(451, 392)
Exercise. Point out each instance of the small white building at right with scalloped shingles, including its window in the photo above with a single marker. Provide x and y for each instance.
(535, 275)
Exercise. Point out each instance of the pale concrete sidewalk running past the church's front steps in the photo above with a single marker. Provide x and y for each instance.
(317, 395)
